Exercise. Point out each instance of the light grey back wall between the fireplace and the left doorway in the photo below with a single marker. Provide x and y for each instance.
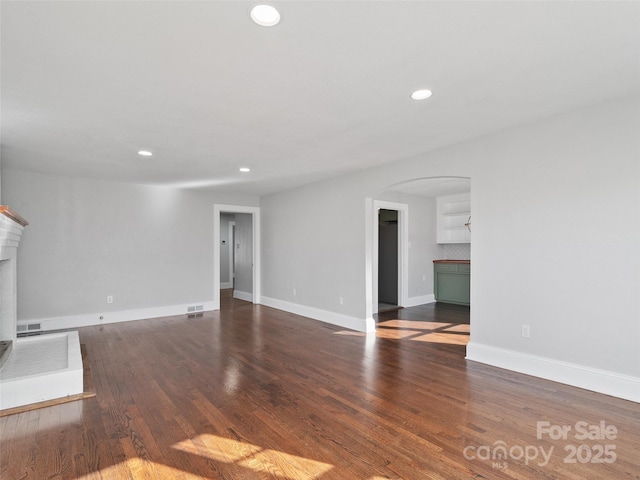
(148, 247)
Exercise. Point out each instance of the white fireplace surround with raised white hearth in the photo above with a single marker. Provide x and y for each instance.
(40, 368)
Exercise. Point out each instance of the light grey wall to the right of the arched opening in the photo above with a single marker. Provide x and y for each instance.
(556, 208)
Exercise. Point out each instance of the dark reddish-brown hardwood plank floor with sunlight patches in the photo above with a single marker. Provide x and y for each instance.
(255, 393)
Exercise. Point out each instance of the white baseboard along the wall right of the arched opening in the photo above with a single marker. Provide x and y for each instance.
(601, 381)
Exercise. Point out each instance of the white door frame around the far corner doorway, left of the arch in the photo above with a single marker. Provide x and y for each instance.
(255, 215)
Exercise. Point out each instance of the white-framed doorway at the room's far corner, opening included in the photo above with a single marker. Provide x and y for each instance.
(236, 250)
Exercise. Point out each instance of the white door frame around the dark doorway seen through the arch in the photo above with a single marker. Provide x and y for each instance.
(372, 253)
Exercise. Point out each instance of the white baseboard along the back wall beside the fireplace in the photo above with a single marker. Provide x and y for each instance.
(76, 321)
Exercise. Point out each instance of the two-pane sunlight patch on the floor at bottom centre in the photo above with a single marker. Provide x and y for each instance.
(273, 462)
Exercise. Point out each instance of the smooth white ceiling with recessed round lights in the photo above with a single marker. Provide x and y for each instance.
(85, 85)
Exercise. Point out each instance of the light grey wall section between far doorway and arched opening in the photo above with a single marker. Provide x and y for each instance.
(312, 243)
